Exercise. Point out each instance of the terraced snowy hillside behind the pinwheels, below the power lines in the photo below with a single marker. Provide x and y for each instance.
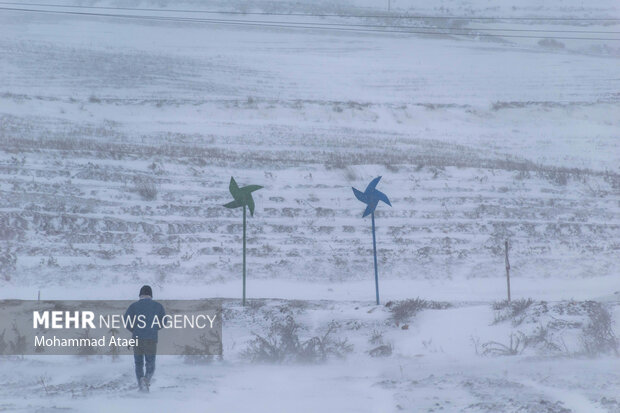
(478, 141)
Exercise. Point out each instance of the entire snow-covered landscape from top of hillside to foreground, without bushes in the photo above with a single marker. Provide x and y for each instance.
(479, 139)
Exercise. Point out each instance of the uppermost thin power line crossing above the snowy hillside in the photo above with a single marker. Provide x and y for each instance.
(386, 15)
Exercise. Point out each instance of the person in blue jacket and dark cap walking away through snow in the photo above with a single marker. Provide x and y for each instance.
(146, 333)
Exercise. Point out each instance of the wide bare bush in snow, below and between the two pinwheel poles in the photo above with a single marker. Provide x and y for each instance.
(282, 344)
